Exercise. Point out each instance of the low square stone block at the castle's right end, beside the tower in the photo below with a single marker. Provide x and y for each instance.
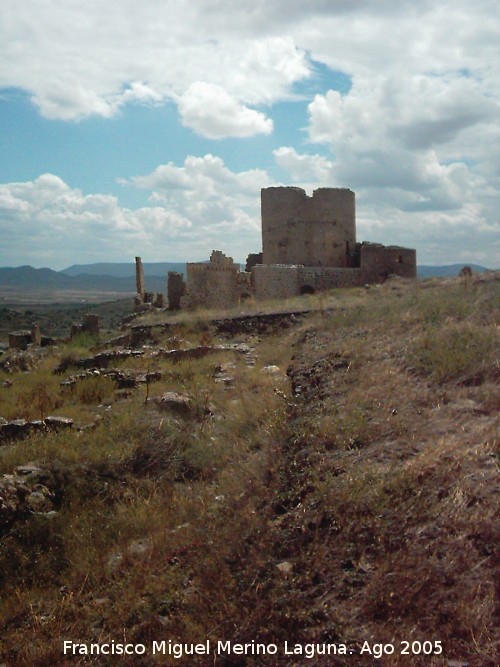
(379, 261)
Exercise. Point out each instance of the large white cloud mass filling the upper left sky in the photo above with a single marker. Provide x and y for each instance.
(79, 60)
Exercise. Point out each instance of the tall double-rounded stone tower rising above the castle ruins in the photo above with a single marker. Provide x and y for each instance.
(313, 231)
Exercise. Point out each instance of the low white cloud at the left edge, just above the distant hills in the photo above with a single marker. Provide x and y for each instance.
(60, 221)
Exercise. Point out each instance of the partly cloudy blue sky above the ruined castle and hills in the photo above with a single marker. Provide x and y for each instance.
(149, 128)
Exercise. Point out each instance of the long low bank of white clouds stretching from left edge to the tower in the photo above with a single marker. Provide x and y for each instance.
(194, 208)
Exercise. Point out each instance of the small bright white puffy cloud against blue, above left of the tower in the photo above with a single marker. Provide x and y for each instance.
(212, 112)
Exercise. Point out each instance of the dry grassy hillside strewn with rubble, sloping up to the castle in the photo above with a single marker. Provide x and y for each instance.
(324, 476)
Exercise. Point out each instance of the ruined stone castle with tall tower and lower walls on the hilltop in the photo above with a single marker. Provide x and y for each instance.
(308, 245)
